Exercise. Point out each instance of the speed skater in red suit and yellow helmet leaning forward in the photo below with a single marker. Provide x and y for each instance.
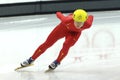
(70, 28)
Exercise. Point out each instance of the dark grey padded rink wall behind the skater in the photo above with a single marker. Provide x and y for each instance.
(43, 7)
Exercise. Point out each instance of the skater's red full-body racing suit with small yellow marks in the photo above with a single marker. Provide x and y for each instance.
(65, 29)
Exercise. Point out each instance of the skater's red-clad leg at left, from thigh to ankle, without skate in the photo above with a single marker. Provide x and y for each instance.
(52, 38)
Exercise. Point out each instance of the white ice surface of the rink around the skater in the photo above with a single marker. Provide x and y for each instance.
(96, 55)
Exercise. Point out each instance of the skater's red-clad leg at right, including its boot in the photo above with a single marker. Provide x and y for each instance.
(69, 42)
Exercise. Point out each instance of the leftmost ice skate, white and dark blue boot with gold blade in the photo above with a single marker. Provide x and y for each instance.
(26, 63)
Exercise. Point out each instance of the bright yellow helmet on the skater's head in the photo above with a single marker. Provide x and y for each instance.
(80, 15)
